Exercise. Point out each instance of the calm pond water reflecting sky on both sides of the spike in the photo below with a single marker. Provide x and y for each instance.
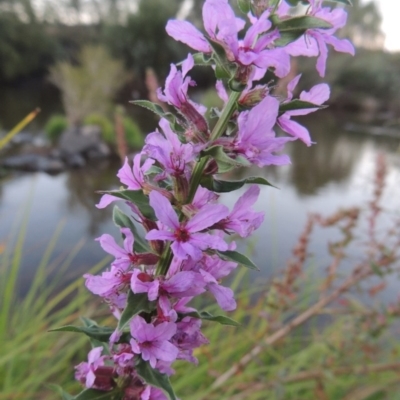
(336, 172)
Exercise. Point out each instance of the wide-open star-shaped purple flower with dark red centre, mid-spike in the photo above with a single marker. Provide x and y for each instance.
(186, 237)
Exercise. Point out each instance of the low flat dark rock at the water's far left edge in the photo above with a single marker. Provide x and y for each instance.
(33, 162)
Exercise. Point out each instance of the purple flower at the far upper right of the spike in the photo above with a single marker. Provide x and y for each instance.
(314, 42)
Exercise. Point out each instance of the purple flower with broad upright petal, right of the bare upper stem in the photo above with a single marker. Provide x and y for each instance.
(256, 139)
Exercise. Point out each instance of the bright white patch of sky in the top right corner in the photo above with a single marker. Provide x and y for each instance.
(390, 10)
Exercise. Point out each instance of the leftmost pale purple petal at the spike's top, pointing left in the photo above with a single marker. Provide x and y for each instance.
(185, 32)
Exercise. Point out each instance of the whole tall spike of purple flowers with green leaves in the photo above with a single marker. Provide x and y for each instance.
(172, 191)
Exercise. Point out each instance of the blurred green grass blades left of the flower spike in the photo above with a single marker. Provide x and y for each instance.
(30, 356)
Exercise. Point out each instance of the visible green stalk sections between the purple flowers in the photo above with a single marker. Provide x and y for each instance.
(219, 129)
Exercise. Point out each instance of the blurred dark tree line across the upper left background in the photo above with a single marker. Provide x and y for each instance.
(32, 38)
